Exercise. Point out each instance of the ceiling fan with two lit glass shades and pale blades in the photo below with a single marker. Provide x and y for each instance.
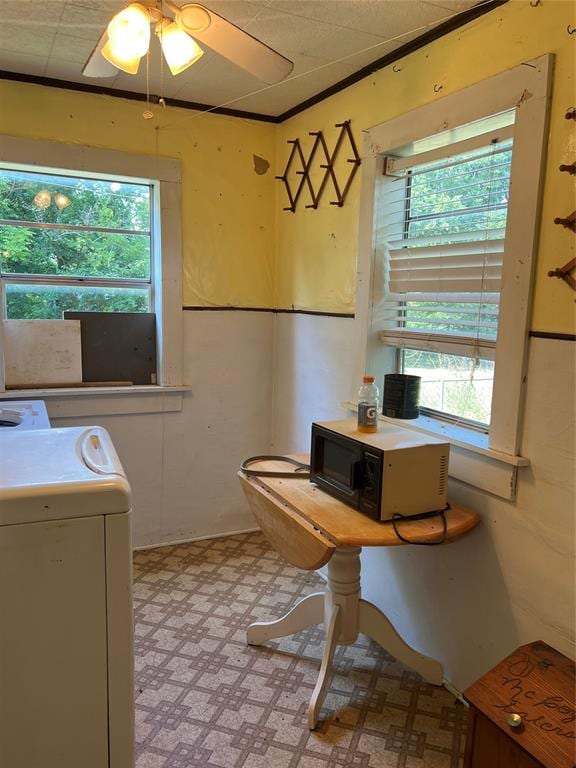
(127, 39)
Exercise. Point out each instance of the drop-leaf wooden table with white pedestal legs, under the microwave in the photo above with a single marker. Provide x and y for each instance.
(310, 528)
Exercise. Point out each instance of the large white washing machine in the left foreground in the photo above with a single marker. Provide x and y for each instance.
(66, 639)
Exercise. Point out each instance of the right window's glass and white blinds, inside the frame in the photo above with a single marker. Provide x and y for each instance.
(441, 224)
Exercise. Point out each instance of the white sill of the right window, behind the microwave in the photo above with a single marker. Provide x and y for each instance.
(471, 460)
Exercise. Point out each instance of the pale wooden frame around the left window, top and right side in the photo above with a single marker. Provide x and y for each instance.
(163, 175)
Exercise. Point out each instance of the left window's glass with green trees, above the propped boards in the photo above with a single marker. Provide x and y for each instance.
(74, 243)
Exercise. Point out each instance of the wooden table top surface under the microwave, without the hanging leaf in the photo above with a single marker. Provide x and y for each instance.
(346, 526)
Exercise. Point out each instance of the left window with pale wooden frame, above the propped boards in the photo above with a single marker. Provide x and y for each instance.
(104, 235)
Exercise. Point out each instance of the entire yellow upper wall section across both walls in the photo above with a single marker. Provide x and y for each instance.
(239, 247)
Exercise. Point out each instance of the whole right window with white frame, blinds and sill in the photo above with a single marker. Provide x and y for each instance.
(448, 237)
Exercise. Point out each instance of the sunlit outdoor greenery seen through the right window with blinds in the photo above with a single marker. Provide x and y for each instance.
(470, 197)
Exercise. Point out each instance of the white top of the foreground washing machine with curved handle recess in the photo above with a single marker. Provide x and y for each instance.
(54, 474)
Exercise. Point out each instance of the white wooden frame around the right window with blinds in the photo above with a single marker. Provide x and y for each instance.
(527, 89)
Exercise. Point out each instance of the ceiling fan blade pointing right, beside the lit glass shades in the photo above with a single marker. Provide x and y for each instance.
(232, 42)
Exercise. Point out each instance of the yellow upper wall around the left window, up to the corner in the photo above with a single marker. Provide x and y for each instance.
(228, 209)
